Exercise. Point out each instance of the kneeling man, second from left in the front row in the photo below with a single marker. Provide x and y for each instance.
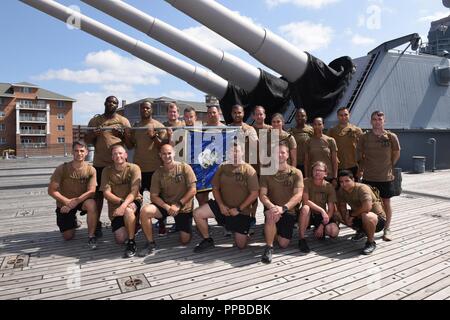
(120, 185)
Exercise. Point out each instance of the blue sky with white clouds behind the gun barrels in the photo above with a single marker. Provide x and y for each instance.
(42, 50)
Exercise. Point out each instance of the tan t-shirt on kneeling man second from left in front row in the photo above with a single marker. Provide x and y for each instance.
(121, 184)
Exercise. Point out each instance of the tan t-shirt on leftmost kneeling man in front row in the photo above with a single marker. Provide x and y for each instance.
(73, 182)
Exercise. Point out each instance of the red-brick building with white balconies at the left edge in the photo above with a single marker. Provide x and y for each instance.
(34, 121)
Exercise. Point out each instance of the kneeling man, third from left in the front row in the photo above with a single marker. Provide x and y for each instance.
(172, 193)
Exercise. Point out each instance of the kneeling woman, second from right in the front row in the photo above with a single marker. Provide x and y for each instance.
(319, 203)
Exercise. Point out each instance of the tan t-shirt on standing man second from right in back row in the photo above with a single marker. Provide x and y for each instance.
(346, 138)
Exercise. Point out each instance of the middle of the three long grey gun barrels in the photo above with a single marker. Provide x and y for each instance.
(225, 65)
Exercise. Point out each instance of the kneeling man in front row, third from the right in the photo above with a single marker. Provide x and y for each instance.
(281, 194)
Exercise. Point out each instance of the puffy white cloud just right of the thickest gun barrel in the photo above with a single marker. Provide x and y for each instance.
(307, 36)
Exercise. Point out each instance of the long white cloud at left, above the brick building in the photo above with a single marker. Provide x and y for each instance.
(108, 67)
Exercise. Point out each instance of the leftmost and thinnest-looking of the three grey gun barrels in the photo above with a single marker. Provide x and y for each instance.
(199, 78)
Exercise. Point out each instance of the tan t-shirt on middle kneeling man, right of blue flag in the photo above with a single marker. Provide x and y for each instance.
(235, 184)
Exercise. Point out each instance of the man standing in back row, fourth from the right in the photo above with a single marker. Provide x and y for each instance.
(301, 133)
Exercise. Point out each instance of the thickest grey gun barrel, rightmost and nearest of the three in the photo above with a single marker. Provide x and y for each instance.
(268, 48)
